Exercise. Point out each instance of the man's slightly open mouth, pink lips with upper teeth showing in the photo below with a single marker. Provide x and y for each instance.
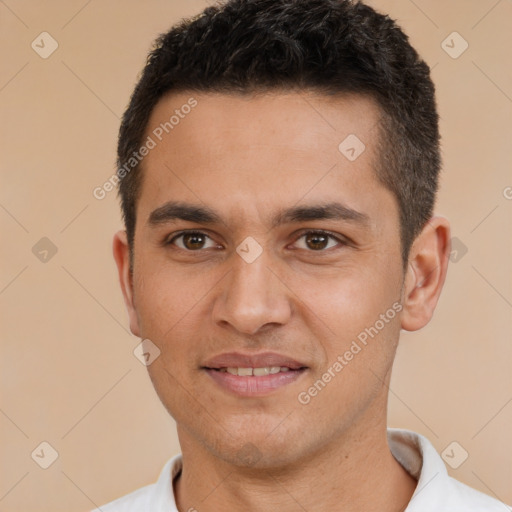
(253, 375)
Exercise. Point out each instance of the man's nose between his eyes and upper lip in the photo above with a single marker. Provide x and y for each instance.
(253, 297)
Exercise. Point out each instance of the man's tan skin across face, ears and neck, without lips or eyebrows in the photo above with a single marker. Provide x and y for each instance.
(246, 158)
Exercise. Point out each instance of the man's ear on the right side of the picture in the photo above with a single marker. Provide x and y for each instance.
(426, 273)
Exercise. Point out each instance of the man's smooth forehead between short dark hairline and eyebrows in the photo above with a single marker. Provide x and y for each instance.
(259, 150)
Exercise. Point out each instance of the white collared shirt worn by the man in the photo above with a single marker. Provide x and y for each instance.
(436, 491)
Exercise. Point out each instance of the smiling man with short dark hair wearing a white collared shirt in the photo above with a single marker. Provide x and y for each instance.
(278, 167)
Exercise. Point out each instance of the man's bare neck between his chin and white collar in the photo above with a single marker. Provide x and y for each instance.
(357, 472)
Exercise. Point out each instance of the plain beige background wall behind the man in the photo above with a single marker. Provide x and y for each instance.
(69, 376)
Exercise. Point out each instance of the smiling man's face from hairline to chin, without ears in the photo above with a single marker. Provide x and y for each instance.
(260, 242)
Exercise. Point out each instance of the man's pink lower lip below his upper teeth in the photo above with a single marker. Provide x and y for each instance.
(252, 385)
